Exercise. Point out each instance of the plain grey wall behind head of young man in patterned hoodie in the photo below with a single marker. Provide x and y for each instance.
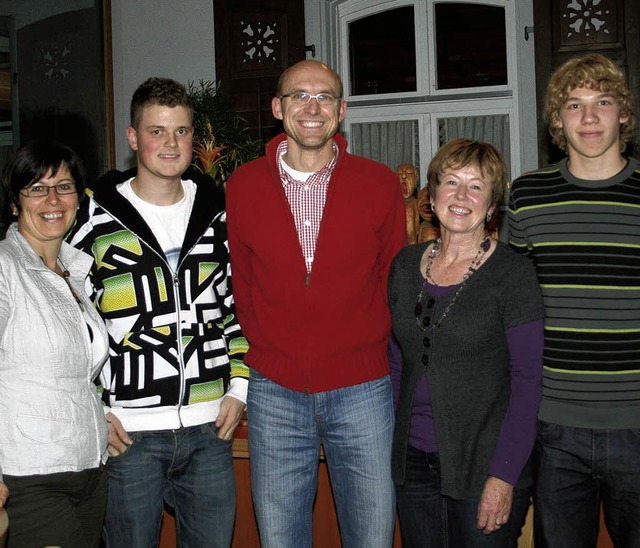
(157, 38)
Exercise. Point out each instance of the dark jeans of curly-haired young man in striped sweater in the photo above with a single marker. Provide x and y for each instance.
(577, 469)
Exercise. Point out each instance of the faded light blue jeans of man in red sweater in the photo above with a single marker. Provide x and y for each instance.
(355, 425)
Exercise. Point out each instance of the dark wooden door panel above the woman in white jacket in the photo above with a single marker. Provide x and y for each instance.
(63, 81)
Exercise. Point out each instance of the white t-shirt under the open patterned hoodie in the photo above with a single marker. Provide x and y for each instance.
(168, 223)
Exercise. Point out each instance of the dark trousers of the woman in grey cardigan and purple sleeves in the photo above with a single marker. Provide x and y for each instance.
(430, 520)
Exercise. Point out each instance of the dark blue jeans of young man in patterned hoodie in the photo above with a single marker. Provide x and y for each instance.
(191, 469)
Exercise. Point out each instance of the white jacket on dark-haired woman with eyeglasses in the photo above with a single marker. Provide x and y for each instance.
(51, 417)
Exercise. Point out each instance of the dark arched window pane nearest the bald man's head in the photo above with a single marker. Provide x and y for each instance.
(382, 52)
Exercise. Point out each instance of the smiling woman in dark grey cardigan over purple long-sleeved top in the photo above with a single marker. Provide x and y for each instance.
(466, 360)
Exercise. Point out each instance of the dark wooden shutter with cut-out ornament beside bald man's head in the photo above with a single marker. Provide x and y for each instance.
(255, 41)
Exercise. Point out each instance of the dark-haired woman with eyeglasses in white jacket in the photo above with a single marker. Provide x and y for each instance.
(53, 432)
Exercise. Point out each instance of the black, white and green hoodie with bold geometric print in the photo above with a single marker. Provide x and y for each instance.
(176, 347)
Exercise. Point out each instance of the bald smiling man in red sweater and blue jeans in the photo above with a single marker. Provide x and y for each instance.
(312, 232)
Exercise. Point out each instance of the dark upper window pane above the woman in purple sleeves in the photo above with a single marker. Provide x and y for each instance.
(471, 45)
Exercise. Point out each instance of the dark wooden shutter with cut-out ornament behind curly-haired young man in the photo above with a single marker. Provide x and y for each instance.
(570, 28)
